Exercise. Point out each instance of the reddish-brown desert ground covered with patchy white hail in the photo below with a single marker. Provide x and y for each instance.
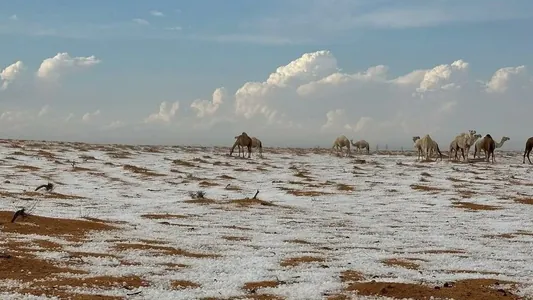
(158, 222)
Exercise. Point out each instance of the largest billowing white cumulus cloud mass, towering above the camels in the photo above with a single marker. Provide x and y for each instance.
(312, 95)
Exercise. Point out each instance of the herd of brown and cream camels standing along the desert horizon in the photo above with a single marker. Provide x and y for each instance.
(426, 147)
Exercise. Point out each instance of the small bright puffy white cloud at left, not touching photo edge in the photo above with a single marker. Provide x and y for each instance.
(52, 68)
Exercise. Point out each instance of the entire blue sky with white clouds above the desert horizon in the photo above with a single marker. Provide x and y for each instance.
(294, 73)
